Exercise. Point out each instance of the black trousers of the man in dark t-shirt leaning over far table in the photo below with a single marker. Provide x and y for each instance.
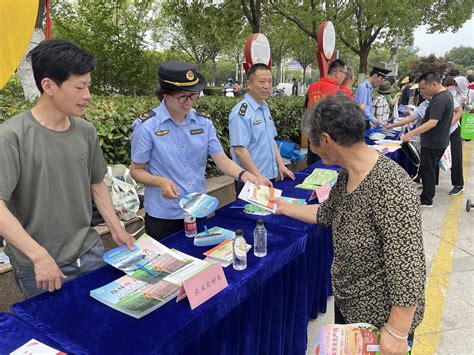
(428, 171)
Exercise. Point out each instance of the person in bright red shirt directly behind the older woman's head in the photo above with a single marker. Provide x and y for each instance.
(327, 86)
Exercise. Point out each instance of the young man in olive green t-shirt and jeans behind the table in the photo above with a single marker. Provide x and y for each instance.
(51, 165)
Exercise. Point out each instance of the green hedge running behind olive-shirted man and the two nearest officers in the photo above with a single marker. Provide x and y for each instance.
(113, 115)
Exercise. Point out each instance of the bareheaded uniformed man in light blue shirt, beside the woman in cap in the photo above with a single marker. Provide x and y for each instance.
(252, 131)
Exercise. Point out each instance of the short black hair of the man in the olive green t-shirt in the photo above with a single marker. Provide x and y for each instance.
(57, 60)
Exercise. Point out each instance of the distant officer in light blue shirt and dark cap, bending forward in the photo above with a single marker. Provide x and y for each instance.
(363, 94)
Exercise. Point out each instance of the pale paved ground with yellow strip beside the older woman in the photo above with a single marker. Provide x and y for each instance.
(448, 232)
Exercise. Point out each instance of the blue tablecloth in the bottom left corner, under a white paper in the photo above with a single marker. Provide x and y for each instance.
(14, 333)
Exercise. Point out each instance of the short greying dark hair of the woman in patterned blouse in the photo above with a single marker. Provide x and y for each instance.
(337, 116)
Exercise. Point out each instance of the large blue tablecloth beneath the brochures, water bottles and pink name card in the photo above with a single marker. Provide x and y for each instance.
(264, 310)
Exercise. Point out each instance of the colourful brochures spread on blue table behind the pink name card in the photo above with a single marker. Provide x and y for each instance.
(154, 276)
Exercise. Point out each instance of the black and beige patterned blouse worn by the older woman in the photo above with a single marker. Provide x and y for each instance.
(379, 258)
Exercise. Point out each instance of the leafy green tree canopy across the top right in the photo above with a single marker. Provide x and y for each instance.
(362, 24)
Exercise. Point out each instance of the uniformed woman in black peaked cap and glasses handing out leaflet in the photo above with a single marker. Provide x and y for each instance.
(170, 146)
